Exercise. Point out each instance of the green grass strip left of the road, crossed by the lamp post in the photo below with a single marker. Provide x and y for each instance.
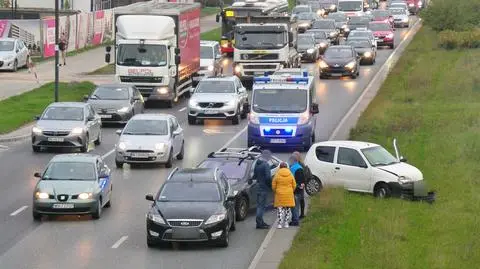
(19, 110)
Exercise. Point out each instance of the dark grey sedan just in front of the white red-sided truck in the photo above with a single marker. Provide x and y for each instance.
(116, 103)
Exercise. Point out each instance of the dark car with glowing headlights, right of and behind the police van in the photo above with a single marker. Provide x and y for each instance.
(340, 61)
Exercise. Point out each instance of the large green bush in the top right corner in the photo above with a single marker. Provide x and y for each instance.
(459, 15)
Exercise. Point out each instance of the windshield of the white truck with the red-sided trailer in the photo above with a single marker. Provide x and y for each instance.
(142, 55)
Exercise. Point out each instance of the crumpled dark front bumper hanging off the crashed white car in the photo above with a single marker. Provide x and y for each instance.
(414, 191)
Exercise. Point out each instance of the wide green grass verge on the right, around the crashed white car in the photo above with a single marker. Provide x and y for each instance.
(431, 104)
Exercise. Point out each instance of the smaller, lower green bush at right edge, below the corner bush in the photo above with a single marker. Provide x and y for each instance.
(449, 39)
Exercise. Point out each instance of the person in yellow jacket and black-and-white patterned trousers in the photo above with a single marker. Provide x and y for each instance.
(283, 186)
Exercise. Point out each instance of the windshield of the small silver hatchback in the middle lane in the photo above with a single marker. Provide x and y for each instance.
(146, 127)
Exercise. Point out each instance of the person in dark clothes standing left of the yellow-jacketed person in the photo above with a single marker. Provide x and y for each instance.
(263, 176)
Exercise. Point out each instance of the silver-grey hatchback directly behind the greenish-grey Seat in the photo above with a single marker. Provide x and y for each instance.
(67, 125)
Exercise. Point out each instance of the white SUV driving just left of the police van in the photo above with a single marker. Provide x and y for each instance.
(218, 98)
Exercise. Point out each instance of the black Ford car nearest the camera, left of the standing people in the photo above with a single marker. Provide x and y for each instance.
(193, 205)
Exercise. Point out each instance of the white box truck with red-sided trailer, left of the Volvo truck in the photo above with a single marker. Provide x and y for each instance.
(157, 48)
